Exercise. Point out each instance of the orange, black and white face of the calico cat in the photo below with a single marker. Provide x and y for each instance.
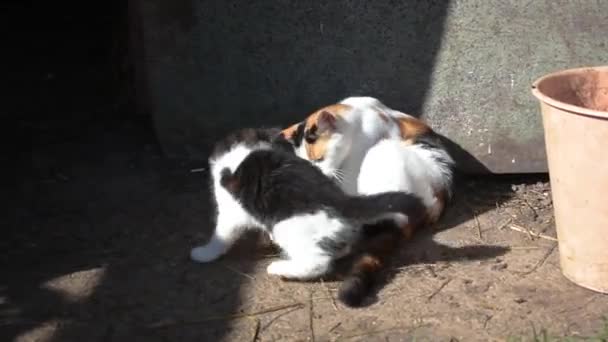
(323, 138)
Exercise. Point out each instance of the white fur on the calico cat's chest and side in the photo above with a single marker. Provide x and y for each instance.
(368, 155)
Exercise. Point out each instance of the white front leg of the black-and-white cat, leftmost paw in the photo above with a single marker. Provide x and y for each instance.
(227, 231)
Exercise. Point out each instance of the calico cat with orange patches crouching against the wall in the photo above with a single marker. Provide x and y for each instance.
(370, 148)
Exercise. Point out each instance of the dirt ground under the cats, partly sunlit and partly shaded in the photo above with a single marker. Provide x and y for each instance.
(97, 250)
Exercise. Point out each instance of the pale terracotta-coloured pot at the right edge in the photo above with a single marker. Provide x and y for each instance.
(574, 105)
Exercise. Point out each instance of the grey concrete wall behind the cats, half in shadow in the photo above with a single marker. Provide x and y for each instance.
(464, 65)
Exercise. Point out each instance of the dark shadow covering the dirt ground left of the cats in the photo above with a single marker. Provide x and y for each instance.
(100, 248)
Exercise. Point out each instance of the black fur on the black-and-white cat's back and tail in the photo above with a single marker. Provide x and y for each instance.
(273, 185)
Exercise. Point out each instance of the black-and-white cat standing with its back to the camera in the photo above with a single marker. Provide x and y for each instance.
(263, 185)
